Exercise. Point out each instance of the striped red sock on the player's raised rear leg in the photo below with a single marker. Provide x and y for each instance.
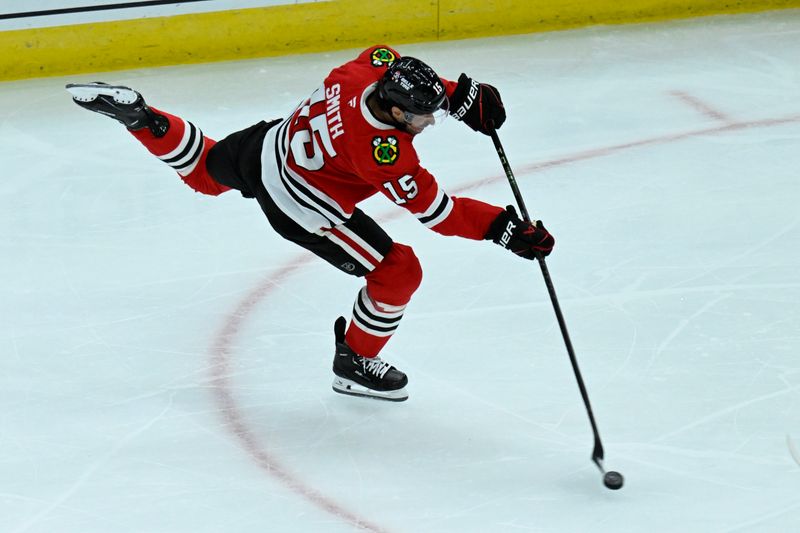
(185, 149)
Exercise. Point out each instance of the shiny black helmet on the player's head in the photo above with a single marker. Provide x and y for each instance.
(412, 86)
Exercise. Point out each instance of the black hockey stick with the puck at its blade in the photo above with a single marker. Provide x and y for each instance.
(612, 480)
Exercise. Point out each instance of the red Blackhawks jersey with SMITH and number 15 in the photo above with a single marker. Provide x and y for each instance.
(332, 153)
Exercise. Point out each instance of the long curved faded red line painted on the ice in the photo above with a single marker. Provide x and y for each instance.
(221, 350)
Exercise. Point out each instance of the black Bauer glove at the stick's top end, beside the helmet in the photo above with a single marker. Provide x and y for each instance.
(478, 105)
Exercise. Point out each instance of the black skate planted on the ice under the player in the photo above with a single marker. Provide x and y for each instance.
(369, 377)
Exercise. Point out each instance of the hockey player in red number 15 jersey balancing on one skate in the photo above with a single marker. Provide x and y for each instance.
(351, 139)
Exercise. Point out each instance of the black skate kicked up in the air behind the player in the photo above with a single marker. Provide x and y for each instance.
(120, 103)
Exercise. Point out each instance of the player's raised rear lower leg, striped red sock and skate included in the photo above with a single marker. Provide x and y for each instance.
(178, 143)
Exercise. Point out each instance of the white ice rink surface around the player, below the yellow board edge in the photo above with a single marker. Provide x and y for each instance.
(166, 357)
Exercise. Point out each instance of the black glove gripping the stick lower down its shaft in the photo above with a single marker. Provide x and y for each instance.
(522, 238)
